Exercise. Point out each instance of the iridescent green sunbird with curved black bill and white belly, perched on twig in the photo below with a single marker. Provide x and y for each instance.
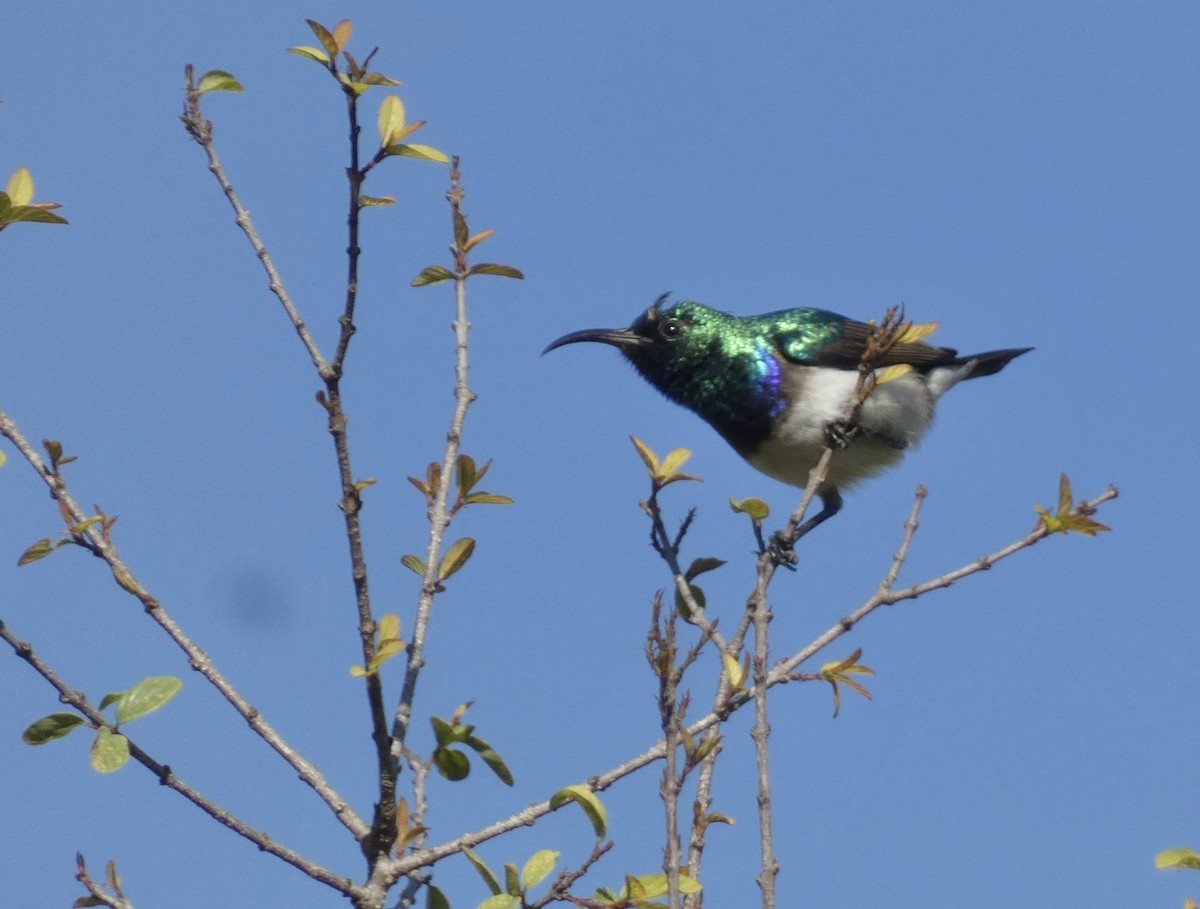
(777, 387)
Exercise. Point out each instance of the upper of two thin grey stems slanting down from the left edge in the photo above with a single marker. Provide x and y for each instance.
(99, 544)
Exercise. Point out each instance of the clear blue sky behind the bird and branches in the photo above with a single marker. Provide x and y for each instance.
(1023, 172)
